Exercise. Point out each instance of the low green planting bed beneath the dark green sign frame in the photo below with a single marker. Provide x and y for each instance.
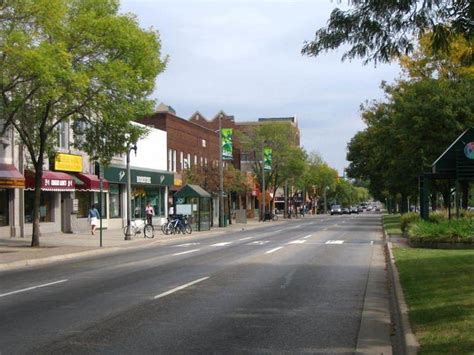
(459, 230)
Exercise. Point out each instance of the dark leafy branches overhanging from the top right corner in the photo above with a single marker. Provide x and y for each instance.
(380, 31)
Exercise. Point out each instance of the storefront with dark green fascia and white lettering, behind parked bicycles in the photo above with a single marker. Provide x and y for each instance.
(147, 186)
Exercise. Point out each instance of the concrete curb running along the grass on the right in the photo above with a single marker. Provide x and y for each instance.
(409, 342)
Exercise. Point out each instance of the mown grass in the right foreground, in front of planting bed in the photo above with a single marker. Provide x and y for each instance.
(439, 290)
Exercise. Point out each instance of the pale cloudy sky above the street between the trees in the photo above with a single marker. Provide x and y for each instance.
(244, 57)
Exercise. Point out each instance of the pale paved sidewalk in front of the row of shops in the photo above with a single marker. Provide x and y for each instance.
(16, 252)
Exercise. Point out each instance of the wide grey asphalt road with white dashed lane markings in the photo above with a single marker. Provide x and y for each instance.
(296, 287)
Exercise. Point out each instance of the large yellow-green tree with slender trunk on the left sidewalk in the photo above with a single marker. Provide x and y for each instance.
(71, 61)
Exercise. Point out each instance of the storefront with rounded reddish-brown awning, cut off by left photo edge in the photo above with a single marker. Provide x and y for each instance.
(10, 181)
